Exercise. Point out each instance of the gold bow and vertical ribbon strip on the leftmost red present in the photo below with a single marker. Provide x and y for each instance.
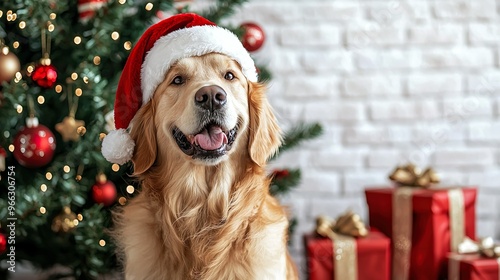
(342, 232)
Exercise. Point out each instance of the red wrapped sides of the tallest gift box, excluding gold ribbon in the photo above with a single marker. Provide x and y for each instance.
(431, 235)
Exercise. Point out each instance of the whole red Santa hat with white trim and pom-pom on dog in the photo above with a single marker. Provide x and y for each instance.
(163, 44)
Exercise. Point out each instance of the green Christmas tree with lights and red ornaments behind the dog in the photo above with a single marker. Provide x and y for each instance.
(60, 62)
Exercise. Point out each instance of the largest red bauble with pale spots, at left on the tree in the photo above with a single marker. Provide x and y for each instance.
(34, 144)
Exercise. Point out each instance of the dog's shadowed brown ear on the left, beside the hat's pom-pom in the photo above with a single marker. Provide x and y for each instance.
(143, 133)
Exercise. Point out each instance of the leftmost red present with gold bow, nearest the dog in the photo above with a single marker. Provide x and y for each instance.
(338, 248)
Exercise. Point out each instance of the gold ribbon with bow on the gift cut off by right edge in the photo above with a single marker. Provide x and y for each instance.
(470, 249)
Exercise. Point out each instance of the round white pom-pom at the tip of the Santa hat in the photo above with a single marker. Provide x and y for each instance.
(118, 146)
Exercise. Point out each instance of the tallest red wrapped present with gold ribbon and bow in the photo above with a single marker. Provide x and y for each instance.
(424, 222)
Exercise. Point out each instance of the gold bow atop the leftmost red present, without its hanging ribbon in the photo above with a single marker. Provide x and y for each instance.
(347, 224)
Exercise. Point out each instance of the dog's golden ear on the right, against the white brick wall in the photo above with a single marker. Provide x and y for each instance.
(264, 133)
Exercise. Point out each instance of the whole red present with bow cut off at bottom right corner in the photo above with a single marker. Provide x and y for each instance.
(475, 261)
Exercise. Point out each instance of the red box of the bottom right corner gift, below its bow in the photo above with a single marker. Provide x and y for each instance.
(474, 267)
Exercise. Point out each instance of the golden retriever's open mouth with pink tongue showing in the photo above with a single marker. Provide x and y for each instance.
(211, 142)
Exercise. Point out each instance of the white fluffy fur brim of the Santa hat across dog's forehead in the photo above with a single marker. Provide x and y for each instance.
(189, 42)
